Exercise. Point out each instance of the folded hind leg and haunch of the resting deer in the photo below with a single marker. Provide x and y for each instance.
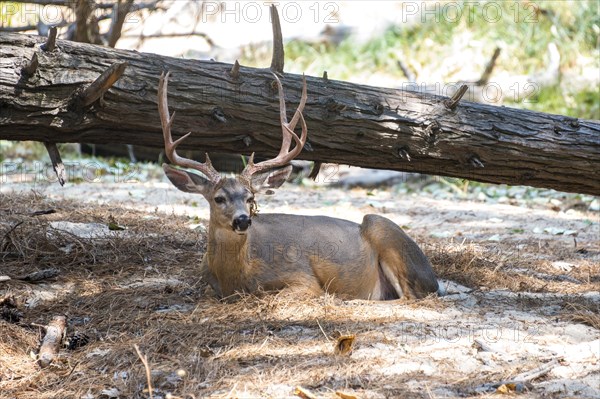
(401, 262)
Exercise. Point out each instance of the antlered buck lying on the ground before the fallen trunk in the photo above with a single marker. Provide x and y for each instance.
(250, 252)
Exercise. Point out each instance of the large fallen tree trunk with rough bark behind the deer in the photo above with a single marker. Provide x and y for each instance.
(238, 113)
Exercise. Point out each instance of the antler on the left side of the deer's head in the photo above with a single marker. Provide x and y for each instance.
(166, 121)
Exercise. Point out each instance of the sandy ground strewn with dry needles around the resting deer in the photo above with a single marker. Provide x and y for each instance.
(520, 317)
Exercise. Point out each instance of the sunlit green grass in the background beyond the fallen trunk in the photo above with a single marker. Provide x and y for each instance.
(441, 49)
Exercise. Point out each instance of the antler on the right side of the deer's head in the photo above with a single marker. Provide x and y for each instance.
(287, 130)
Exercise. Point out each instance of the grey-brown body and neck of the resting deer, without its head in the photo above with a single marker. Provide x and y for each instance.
(373, 260)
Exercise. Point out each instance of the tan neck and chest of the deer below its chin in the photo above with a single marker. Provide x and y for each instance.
(227, 259)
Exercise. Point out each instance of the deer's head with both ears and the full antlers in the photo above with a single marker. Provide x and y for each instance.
(231, 199)
